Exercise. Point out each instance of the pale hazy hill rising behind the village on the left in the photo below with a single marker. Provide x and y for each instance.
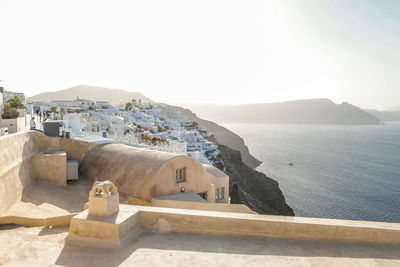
(114, 96)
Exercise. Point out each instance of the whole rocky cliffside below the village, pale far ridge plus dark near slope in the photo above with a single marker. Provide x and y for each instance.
(252, 188)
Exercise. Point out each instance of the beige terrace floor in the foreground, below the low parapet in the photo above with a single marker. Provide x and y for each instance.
(39, 246)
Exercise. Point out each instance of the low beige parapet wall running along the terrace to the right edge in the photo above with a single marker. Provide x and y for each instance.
(242, 225)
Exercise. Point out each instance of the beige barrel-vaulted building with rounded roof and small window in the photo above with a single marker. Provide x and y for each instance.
(144, 174)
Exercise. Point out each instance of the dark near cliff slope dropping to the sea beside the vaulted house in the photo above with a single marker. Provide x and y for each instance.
(256, 190)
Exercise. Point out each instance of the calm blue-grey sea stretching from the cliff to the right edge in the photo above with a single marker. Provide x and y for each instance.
(343, 172)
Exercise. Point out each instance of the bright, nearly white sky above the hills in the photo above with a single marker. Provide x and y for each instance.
(223, 52)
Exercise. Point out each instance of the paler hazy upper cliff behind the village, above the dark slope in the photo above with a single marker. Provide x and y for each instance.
(223, 136)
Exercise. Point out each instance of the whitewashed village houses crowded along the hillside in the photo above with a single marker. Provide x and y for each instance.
(147, 125)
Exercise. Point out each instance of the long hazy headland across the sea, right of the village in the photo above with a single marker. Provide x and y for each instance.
(309, 111)
